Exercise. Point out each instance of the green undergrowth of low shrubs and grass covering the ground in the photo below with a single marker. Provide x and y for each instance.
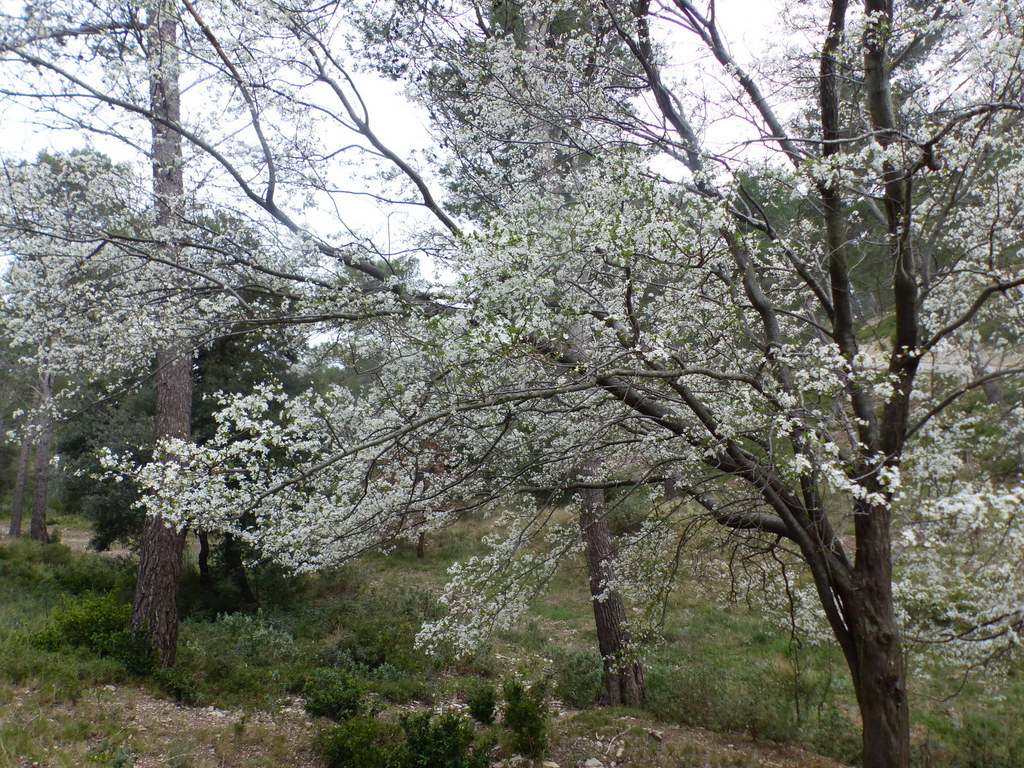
(344, 643)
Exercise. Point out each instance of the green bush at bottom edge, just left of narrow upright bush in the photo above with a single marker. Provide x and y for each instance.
(448, 742)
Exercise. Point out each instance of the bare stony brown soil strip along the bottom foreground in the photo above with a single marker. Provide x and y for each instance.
(127, 727)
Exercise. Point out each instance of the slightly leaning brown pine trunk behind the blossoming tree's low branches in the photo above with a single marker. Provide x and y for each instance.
(623, 674)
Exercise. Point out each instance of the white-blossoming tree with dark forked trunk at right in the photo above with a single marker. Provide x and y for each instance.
(795, 319)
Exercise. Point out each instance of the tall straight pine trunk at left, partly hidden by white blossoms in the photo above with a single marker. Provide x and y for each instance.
(156, 604)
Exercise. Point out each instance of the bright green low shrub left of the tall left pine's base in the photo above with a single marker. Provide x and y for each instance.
(100, 624)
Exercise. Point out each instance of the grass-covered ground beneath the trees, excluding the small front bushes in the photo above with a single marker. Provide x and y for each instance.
(724, 669)
